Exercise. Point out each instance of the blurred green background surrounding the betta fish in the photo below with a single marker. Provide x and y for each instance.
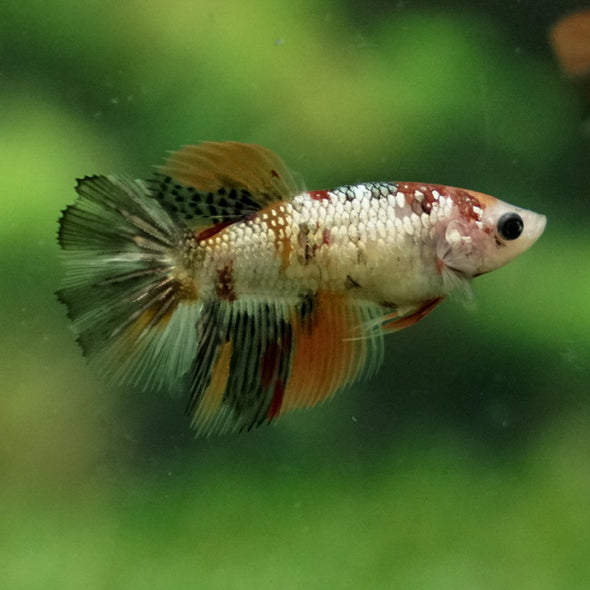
(464, 464)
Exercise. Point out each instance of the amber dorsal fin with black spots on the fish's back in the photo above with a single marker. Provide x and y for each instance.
(216, 182)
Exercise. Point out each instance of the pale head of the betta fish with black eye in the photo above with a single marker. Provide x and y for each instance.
(488, 235)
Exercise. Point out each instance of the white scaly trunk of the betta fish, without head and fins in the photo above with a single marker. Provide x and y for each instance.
(374, 240)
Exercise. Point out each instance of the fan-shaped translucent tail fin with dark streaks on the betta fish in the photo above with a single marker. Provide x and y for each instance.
(132, 301)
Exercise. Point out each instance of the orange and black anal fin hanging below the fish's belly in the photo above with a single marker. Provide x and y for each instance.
(257, 360)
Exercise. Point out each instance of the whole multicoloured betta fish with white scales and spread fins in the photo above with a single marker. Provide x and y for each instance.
(222, 279)
